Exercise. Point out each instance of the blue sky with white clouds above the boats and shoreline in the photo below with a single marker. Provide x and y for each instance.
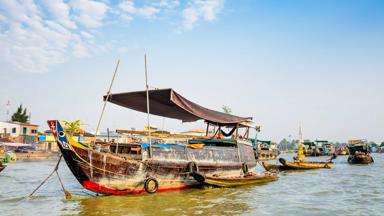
(318, 63)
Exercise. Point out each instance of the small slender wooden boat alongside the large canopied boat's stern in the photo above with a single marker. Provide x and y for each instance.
(251, 178)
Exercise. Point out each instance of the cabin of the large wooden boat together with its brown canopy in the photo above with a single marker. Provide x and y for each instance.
(230, 141)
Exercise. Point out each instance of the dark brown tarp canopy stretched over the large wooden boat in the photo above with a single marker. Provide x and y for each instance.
(168, 103)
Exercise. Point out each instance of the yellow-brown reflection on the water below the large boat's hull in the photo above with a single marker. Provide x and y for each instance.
(210, 201)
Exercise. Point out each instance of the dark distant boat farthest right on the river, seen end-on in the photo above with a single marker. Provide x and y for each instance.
(359, 153)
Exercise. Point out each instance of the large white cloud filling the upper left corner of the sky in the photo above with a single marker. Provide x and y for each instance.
(30, 42)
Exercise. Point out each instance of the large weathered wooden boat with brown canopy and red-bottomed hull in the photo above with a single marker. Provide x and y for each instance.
(150, 167)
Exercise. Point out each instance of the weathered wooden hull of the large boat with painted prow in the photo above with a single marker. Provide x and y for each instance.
(169, 169)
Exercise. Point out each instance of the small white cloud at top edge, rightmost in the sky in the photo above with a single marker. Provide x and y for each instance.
(201, 9)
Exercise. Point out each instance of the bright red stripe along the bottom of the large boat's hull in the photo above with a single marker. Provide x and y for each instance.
(97, 188)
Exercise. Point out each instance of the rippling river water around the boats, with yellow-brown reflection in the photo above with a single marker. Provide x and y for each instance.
(343, 190)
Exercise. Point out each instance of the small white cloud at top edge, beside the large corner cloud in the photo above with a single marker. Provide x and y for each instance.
(89, 13)
